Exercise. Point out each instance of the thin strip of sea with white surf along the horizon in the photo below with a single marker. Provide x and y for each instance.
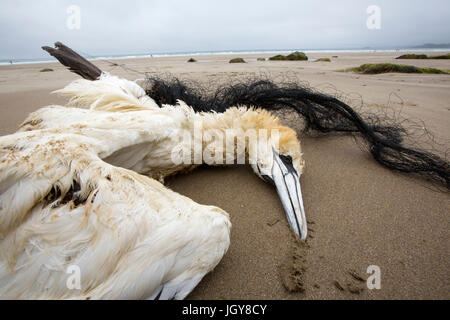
(6, 62)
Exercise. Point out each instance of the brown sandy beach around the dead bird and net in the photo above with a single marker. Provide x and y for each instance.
(360, 214)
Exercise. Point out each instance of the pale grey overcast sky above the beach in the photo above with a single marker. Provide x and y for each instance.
(152, 26)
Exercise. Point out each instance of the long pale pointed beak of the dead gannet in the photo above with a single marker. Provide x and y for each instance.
(287, 182)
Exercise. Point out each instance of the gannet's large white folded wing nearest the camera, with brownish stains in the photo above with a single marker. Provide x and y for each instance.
(61, 206)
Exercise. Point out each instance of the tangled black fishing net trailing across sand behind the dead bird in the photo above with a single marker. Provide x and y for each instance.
(321, 112)
